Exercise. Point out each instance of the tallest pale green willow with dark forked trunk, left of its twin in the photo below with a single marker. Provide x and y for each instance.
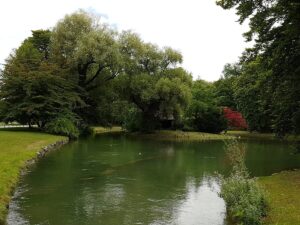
(90, 53)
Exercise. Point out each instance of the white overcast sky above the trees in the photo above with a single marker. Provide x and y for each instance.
(205, 34)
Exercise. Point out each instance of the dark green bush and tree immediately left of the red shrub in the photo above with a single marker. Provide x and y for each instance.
(203, 114)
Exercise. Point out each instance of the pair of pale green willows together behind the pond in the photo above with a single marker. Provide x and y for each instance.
(94, 54)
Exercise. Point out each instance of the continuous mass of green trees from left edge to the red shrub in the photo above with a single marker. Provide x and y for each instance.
(83, 72)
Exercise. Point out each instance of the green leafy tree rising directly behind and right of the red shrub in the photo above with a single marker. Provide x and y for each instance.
(253, 96)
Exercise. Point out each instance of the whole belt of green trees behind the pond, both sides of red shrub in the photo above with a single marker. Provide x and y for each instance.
(82, 72)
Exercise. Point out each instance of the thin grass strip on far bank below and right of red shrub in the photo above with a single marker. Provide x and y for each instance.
(256, 135)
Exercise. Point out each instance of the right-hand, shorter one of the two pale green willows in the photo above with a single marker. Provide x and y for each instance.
(153, 81)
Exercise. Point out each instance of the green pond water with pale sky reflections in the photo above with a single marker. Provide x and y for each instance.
(113, 180)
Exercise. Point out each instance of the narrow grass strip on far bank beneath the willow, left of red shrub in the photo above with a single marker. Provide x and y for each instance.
(171, 135)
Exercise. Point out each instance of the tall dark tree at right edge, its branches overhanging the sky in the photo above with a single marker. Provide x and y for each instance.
(274, 26)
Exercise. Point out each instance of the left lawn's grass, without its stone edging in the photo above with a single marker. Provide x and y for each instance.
(16, 147)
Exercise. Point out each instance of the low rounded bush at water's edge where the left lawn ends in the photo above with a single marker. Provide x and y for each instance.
(63, 125)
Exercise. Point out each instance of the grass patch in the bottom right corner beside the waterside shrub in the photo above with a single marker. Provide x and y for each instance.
(283, 197)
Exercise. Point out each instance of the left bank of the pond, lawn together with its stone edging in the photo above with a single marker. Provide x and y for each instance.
(17, 160)
